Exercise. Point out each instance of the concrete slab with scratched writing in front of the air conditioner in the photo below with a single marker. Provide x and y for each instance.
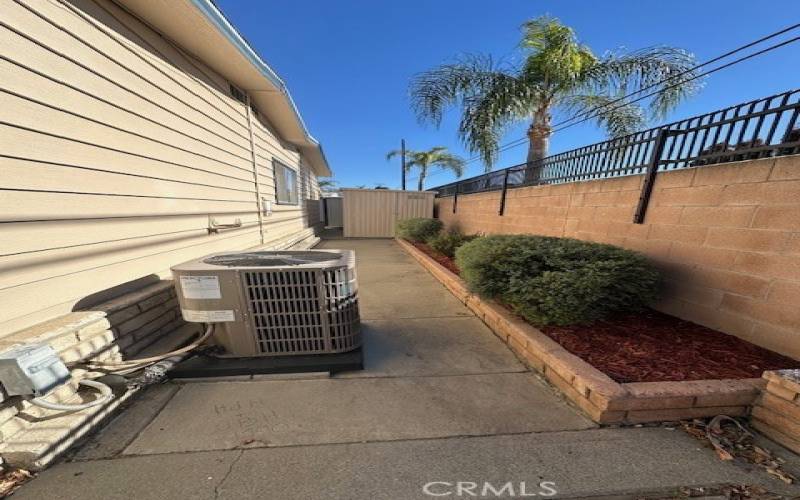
(303, 412)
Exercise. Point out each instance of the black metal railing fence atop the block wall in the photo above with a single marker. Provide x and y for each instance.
(756, 129)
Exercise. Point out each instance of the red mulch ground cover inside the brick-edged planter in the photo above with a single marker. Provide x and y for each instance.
(650, 346)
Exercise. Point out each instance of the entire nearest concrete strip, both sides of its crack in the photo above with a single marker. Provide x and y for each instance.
(622, 463)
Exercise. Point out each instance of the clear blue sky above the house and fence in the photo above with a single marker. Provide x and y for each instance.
(348, 62)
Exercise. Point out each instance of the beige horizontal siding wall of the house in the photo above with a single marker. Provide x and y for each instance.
(115, 149)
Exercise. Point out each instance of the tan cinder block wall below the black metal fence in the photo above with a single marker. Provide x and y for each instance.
(727, 238)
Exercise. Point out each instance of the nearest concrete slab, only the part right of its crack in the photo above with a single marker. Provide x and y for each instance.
(581, 464)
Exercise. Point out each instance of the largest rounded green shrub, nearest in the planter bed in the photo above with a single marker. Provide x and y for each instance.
(557, 280)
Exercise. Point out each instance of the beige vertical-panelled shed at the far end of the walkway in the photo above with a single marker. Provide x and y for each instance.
(373, 213)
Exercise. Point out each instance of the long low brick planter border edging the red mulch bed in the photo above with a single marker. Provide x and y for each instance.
(600, 397)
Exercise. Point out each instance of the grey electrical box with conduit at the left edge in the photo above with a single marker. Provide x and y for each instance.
(32, 370)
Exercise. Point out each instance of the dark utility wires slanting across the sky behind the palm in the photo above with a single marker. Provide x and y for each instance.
(592, 113)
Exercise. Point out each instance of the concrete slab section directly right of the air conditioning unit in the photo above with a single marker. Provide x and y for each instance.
(432, 346)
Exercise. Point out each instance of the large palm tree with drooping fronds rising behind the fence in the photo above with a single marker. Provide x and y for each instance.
(557, 74)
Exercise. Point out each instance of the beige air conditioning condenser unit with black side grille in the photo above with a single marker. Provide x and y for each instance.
(274, 303)
